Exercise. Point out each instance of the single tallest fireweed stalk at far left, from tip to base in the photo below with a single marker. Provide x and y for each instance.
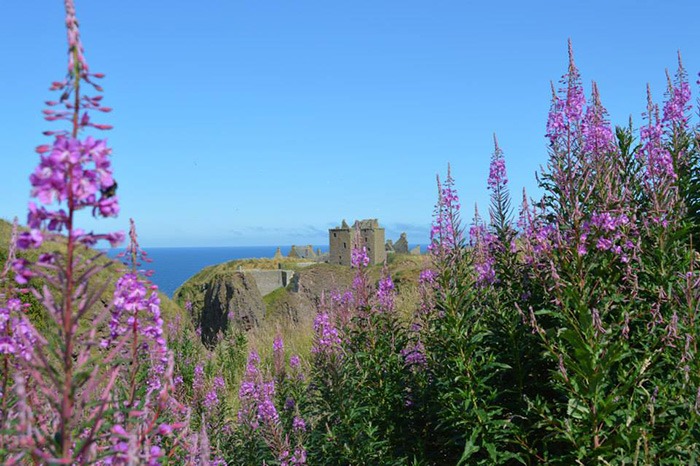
(74, 174)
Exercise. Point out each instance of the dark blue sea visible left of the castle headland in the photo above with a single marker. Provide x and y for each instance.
(173, 266)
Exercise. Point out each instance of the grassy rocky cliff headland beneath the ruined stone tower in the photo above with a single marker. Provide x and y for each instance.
(226, 294)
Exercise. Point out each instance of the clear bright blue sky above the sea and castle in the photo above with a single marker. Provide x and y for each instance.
(267, 122)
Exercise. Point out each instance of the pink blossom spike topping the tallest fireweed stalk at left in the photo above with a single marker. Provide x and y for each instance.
(73, 172)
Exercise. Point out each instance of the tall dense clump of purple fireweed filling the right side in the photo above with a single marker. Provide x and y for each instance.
(571, 337)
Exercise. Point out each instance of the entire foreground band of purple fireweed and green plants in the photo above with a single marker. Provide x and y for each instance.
(563, 334)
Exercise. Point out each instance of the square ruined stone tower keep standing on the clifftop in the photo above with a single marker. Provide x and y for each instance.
(371, 236)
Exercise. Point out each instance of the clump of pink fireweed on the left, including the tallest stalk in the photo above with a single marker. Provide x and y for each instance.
(96, 385)
